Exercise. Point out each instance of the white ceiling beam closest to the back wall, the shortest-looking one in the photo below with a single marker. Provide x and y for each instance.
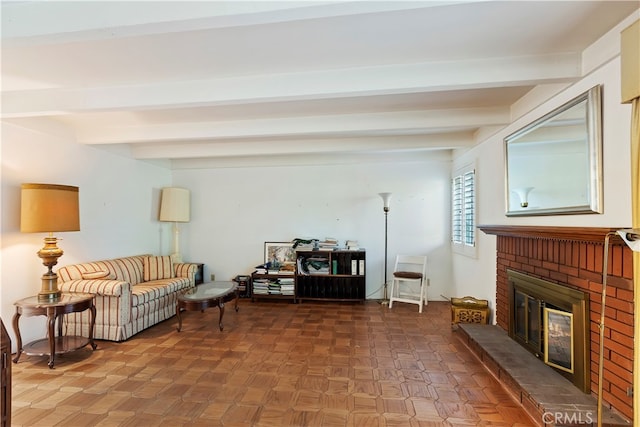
(388, 144)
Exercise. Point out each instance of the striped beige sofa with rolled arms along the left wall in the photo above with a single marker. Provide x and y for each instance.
(132, 293)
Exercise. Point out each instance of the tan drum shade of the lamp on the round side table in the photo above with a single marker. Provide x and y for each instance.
(49, 208)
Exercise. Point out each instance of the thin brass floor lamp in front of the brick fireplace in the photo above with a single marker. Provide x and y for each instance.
(632, 238)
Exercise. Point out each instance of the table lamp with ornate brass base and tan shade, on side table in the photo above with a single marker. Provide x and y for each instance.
(49, 208)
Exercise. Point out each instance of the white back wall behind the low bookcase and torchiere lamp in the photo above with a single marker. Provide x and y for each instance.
(236, 210)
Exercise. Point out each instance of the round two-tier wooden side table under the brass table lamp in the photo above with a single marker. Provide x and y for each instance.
(52, 345)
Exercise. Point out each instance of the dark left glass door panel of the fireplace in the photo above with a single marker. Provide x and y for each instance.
(528, 312)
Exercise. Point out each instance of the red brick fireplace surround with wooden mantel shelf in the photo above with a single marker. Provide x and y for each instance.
(573, 256)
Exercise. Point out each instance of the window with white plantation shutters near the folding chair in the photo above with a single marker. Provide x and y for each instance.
(463, 197)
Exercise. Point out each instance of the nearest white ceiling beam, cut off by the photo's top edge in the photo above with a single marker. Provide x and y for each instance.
(31, 23)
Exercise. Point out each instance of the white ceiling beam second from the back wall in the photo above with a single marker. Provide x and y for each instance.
(405, 122)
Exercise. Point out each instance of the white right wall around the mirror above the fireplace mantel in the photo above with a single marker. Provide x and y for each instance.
(477, 276)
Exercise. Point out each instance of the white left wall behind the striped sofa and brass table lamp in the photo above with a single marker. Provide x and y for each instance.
(118, 210)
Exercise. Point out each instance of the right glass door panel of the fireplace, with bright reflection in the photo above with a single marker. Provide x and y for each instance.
(558, 343)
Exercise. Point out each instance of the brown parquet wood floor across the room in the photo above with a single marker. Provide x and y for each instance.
(275, 364)
